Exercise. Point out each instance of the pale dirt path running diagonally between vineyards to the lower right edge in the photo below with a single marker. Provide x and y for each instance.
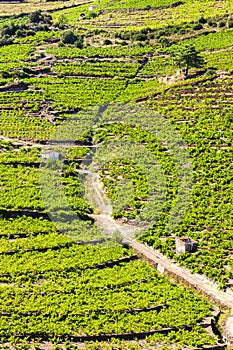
(199, 282)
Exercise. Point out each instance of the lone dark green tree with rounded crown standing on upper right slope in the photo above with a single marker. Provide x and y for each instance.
(188, 57)
